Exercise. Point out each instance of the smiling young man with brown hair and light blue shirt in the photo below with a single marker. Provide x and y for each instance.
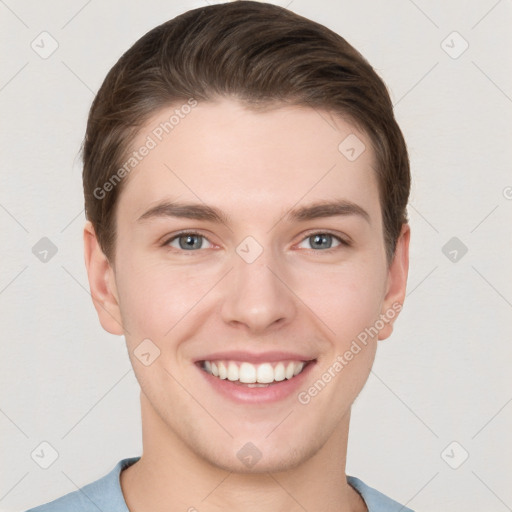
(246, 187)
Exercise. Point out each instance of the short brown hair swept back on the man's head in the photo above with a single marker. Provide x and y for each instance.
(259, 54)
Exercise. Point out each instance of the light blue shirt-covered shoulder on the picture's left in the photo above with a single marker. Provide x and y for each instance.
(102, 494)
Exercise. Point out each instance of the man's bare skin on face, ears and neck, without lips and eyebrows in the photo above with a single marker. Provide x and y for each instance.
(254, 167)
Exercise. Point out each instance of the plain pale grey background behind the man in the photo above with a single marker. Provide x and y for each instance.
(443, 377)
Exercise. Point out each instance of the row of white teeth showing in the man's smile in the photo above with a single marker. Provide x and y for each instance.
(253, 375)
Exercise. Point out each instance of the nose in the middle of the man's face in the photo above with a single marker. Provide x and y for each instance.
(256, 296)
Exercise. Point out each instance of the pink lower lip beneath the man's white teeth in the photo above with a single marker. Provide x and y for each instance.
(271, 393)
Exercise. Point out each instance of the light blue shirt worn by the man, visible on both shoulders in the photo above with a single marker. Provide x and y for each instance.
(106, 495)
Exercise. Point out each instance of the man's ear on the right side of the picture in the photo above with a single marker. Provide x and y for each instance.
(396, 283)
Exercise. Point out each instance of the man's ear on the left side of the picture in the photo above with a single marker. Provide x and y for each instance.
(102, 283)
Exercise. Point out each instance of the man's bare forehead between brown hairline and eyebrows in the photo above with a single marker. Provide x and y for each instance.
(243, 161)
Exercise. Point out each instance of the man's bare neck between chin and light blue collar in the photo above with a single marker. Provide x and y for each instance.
(171, 477)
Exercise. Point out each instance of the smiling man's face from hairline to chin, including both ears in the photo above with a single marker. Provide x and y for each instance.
(250, 257)
